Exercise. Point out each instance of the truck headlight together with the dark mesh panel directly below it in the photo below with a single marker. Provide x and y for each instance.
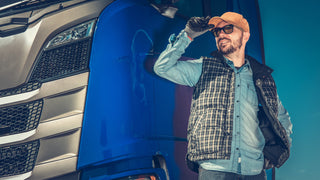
(66, 54)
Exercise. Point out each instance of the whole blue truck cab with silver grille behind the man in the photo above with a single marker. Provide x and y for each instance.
(78, 95)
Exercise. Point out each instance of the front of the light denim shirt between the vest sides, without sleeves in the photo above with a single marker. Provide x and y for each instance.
(247, 139)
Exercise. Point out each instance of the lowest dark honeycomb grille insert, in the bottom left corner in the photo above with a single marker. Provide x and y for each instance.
(18, 159)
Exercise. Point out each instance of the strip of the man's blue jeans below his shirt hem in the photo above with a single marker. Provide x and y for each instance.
(217, 175)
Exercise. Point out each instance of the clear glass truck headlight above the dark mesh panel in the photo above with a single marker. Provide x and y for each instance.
(76, 33)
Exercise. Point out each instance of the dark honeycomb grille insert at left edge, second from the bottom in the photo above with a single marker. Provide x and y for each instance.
(20, 118)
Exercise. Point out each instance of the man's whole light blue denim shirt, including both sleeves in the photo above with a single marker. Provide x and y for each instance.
(247, 139)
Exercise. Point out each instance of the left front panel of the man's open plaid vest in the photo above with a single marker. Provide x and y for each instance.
(211, 113)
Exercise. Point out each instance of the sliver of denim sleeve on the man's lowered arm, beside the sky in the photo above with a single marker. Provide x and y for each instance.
(284, 119)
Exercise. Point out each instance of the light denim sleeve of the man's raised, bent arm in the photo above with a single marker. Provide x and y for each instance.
(169, 67)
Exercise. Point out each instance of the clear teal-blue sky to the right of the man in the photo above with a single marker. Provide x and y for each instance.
(291, 39)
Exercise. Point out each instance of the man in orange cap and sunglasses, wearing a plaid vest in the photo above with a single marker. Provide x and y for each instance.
(237, 126)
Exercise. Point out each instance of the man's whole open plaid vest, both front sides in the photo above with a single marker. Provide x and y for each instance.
(211, 114)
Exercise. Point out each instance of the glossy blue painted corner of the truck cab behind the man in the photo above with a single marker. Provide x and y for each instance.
(131, 114)
